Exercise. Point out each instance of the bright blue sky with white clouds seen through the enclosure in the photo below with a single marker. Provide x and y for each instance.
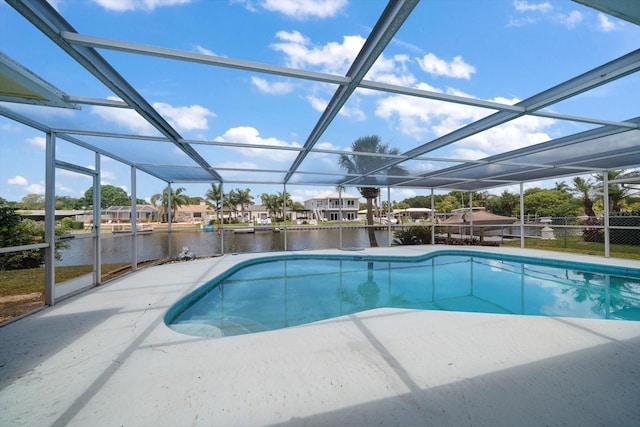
(496, 50)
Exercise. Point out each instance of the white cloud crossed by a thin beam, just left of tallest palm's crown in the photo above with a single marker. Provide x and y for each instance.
(250, 135)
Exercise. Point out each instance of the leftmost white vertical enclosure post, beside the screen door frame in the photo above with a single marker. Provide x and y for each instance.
(50, 221)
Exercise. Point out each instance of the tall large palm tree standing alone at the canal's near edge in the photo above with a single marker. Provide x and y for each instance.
(359, 164)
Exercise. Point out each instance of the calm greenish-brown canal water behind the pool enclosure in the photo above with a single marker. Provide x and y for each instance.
(117, 248)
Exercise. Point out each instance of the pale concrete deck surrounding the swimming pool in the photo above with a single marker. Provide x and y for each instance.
(106, 358)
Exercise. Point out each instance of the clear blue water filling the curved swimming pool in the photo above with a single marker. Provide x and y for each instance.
(273, 293)
